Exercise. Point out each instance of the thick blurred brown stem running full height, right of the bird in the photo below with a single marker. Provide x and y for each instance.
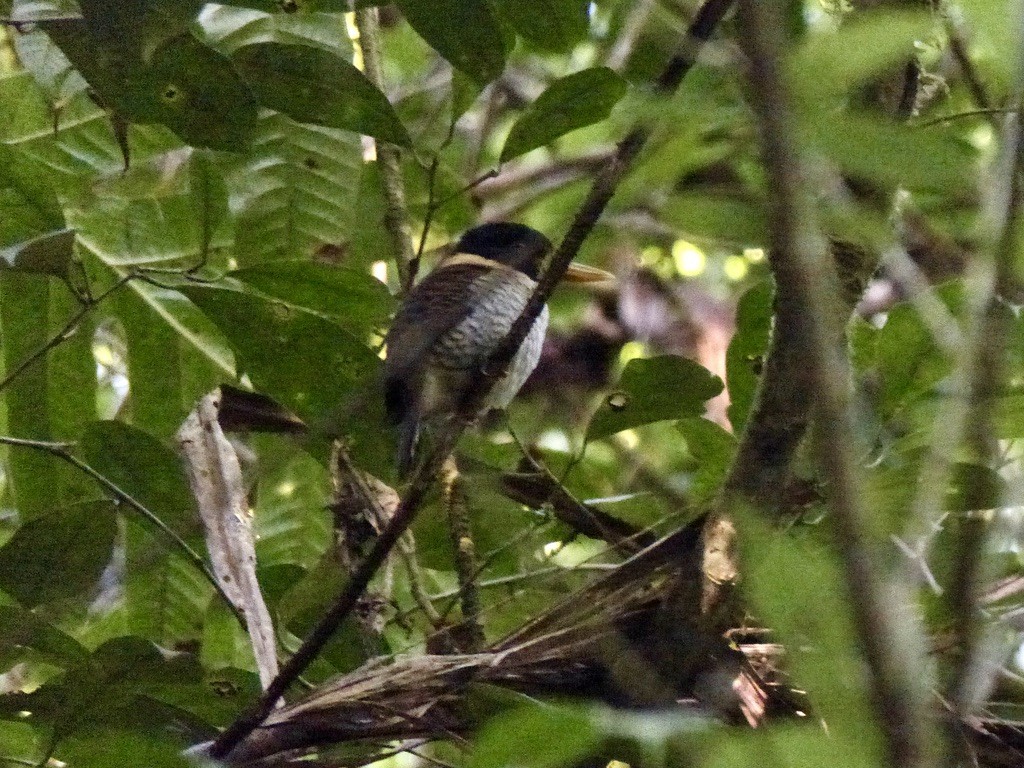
(801, 261)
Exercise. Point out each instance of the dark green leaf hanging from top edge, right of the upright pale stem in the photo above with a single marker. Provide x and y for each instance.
(464, 32)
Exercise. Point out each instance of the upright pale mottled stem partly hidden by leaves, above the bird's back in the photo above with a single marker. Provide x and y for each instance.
(396, 212)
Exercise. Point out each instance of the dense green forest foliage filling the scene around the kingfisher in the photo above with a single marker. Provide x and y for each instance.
(187, 202)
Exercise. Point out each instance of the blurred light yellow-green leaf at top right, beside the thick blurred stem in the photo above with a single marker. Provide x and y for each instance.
(833, 63)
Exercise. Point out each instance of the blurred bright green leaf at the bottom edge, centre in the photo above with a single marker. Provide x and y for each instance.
(536, 737)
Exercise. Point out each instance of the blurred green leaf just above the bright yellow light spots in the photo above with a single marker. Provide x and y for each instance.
(718, 217)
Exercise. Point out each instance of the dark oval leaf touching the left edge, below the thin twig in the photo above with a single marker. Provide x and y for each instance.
(59, 556)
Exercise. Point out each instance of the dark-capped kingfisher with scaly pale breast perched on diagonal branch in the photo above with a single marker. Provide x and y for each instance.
(452, 321)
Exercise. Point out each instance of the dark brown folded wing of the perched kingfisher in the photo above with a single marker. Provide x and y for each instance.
(437, 306)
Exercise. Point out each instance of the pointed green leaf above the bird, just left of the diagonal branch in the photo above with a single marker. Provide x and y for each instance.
(571, 103)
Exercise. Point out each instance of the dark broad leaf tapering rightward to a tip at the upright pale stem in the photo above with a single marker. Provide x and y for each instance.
(313, 86)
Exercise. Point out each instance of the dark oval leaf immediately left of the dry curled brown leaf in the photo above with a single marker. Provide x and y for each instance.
(145, 468)
